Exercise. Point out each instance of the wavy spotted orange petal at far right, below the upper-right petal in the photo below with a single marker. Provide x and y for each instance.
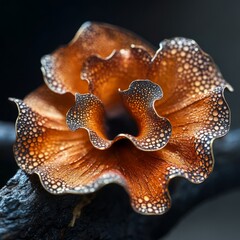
(194, 129)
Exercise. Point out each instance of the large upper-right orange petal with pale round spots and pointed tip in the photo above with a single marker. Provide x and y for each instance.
(184, 73)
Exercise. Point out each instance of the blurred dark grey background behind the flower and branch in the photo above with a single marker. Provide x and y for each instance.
(31, 29)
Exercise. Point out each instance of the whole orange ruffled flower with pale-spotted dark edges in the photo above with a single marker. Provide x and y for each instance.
(139, 119)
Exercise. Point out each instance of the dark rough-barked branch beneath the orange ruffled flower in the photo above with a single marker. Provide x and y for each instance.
(27, 211)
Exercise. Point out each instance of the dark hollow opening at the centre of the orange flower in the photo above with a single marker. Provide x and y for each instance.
(120, 122)
